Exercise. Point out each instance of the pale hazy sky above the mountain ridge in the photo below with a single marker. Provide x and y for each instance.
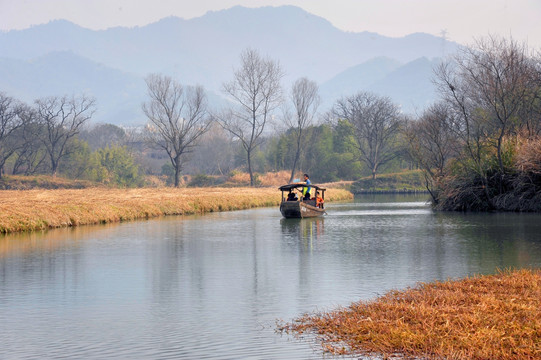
(462, 20)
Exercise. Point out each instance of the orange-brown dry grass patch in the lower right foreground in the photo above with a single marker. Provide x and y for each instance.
(484, 317)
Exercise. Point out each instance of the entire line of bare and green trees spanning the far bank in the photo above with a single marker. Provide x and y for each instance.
(474, 145)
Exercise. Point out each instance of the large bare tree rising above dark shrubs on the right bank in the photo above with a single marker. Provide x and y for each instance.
(493, 87)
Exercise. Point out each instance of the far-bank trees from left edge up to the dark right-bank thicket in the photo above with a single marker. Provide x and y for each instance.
(183, 135)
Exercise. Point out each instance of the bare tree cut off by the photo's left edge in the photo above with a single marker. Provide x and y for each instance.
(10, 121)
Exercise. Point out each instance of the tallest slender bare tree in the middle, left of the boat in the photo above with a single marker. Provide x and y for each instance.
(256, 92)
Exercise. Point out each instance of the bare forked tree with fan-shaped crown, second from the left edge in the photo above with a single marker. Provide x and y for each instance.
(62, 118)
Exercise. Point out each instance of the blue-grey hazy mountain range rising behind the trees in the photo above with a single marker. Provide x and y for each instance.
(61, 58)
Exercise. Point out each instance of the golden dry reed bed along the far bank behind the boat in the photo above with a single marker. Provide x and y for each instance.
(28, 210)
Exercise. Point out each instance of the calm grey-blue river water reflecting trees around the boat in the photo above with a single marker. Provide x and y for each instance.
(212, 287)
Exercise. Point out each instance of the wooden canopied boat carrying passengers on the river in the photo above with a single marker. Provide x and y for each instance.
(300, 208)
